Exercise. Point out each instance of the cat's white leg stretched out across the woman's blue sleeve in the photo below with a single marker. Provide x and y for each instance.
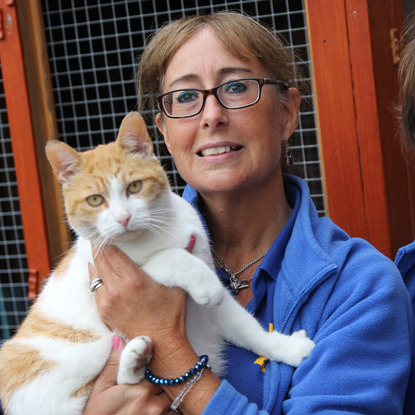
(240, 328)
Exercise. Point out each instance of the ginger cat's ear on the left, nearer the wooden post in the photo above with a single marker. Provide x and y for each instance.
(64, 160)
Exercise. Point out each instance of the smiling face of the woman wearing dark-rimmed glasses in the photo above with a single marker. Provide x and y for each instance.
(252, 136)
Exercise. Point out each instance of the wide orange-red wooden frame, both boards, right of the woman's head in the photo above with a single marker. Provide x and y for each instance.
(355, 84)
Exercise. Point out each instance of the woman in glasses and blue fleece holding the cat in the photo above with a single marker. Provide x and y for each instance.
(347, 296)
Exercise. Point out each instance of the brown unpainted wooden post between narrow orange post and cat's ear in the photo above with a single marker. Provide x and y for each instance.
(42, 110)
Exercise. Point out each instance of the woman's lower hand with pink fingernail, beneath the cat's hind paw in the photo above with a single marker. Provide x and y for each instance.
(109, 398)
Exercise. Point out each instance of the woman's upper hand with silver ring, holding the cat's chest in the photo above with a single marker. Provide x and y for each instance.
(132, 303)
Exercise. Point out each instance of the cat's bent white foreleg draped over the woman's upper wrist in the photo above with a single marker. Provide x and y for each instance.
(175, 267)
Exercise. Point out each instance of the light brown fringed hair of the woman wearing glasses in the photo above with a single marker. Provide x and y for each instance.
(240, 35)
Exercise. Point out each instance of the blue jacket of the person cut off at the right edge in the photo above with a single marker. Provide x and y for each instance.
(405, 261)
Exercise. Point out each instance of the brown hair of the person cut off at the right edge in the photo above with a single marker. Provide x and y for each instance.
(407, 80)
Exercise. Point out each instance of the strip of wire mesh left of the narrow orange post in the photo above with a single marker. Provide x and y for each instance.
(13, 263)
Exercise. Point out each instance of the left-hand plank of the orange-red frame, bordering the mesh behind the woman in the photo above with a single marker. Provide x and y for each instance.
(333, 89)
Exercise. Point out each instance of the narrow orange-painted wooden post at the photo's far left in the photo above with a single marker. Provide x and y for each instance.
(22, 139)
